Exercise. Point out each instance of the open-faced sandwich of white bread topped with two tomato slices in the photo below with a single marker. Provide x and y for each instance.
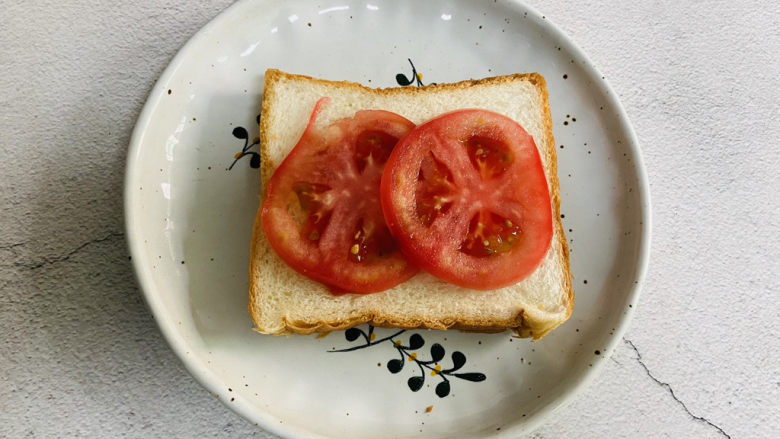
(452, 211)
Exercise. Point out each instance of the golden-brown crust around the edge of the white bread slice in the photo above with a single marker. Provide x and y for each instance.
(518, 323)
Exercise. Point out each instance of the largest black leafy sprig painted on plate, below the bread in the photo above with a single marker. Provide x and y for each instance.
(429, 364)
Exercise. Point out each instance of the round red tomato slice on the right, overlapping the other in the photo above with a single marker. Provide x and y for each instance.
(466, 196)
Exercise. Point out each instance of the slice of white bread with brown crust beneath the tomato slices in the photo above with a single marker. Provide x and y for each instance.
(282, 301)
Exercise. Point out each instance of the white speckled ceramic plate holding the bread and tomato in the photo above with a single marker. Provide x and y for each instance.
(189, 220)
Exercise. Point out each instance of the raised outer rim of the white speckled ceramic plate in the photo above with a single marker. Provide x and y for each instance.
(264, 419)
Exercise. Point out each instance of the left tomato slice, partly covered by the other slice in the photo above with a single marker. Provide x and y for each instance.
(322, 213)
